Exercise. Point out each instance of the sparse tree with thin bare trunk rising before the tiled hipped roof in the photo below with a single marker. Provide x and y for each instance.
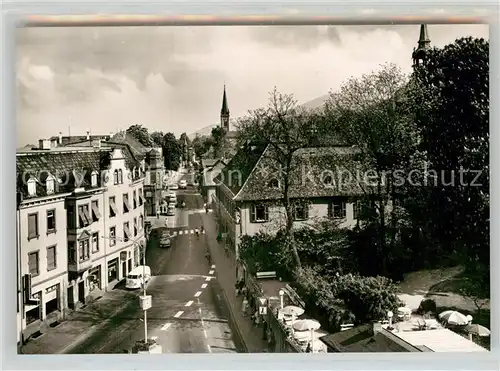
(284, 127)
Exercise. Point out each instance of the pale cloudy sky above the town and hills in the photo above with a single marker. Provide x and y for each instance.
(171, 78)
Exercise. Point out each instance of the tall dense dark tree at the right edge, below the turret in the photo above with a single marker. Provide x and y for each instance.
(453, 116)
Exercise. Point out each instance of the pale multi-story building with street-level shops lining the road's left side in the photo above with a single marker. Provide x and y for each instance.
(80, 218)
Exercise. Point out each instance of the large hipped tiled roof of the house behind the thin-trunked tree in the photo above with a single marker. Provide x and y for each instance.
(249, 173)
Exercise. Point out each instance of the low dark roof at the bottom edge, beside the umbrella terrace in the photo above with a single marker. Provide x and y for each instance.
(363, 339)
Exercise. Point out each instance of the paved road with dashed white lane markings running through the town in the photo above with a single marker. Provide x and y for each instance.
(189, 314)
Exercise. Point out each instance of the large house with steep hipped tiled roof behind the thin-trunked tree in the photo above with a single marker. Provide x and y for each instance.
(249, 192)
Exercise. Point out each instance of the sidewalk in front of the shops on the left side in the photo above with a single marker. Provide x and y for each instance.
(79, 325)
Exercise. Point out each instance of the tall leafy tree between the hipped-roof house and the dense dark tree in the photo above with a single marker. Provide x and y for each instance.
(373, 114)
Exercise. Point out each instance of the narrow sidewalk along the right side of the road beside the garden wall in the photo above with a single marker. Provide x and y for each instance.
(251, 335)
